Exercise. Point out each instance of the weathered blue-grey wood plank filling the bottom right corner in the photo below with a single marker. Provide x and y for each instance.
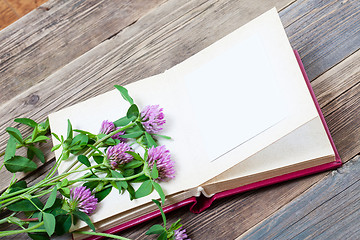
(323, 212)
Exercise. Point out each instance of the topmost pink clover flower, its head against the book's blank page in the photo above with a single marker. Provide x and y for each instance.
(152, 118)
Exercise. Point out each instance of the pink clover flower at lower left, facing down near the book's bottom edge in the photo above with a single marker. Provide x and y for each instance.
(81, 198)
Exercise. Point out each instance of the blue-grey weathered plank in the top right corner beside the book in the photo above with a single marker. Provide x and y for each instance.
(324, 32)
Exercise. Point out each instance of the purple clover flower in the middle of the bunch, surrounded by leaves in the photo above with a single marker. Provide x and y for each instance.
(117, 154)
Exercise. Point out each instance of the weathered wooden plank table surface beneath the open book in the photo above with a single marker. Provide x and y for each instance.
(67, 51)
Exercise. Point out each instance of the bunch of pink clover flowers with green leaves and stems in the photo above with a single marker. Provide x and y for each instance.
(124, 152)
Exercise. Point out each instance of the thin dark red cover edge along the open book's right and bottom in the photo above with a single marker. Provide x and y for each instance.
(200, 204)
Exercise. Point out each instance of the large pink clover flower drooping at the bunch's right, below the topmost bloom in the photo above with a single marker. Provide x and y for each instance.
(164, 164)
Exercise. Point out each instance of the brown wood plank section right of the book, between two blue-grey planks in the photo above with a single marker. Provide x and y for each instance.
(338, 93)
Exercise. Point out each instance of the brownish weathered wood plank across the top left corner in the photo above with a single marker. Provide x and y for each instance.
(55, 34)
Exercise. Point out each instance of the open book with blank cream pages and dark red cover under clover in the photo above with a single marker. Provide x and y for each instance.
(240, 115)
